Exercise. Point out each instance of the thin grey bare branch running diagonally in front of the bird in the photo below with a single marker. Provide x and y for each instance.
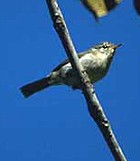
(94, 106)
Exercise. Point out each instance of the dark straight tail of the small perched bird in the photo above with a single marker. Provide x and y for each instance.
(34, 87)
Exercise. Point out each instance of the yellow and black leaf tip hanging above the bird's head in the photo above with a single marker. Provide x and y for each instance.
(100, 8)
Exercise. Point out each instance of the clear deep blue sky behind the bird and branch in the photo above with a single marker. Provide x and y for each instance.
(55, 125)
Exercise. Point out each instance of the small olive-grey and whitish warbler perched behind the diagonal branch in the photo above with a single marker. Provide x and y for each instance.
(95, 61)
